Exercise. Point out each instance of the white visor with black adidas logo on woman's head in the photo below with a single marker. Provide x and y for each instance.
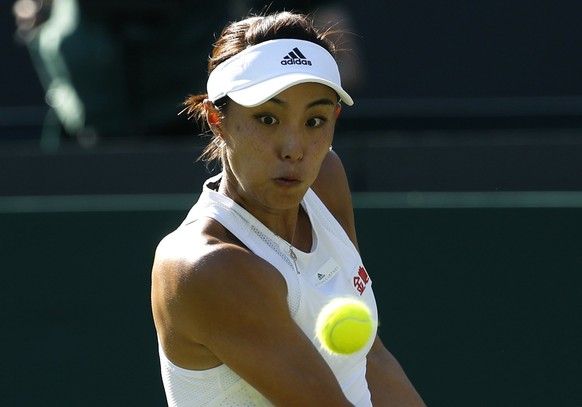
(262, 71)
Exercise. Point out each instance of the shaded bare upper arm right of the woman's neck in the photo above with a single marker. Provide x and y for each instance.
(332, 187)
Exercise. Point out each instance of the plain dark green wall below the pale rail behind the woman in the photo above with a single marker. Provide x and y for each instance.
(481, 306)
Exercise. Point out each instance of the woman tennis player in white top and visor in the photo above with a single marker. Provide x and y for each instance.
(237, 287)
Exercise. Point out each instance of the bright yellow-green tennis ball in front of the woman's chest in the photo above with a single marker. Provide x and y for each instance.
(344, 326)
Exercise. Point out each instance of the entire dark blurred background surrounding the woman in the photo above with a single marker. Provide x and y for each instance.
(464, 153)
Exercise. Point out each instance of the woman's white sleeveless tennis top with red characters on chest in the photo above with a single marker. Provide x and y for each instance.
(332, 269)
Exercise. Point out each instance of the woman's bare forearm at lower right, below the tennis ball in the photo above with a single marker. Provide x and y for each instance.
(387, 381)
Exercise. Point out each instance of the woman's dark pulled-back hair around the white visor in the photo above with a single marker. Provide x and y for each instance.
(238, 36)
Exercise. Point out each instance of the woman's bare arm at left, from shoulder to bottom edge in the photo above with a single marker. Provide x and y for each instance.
(235, 304)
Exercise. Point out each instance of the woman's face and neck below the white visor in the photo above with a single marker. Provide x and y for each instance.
(274, 152)
